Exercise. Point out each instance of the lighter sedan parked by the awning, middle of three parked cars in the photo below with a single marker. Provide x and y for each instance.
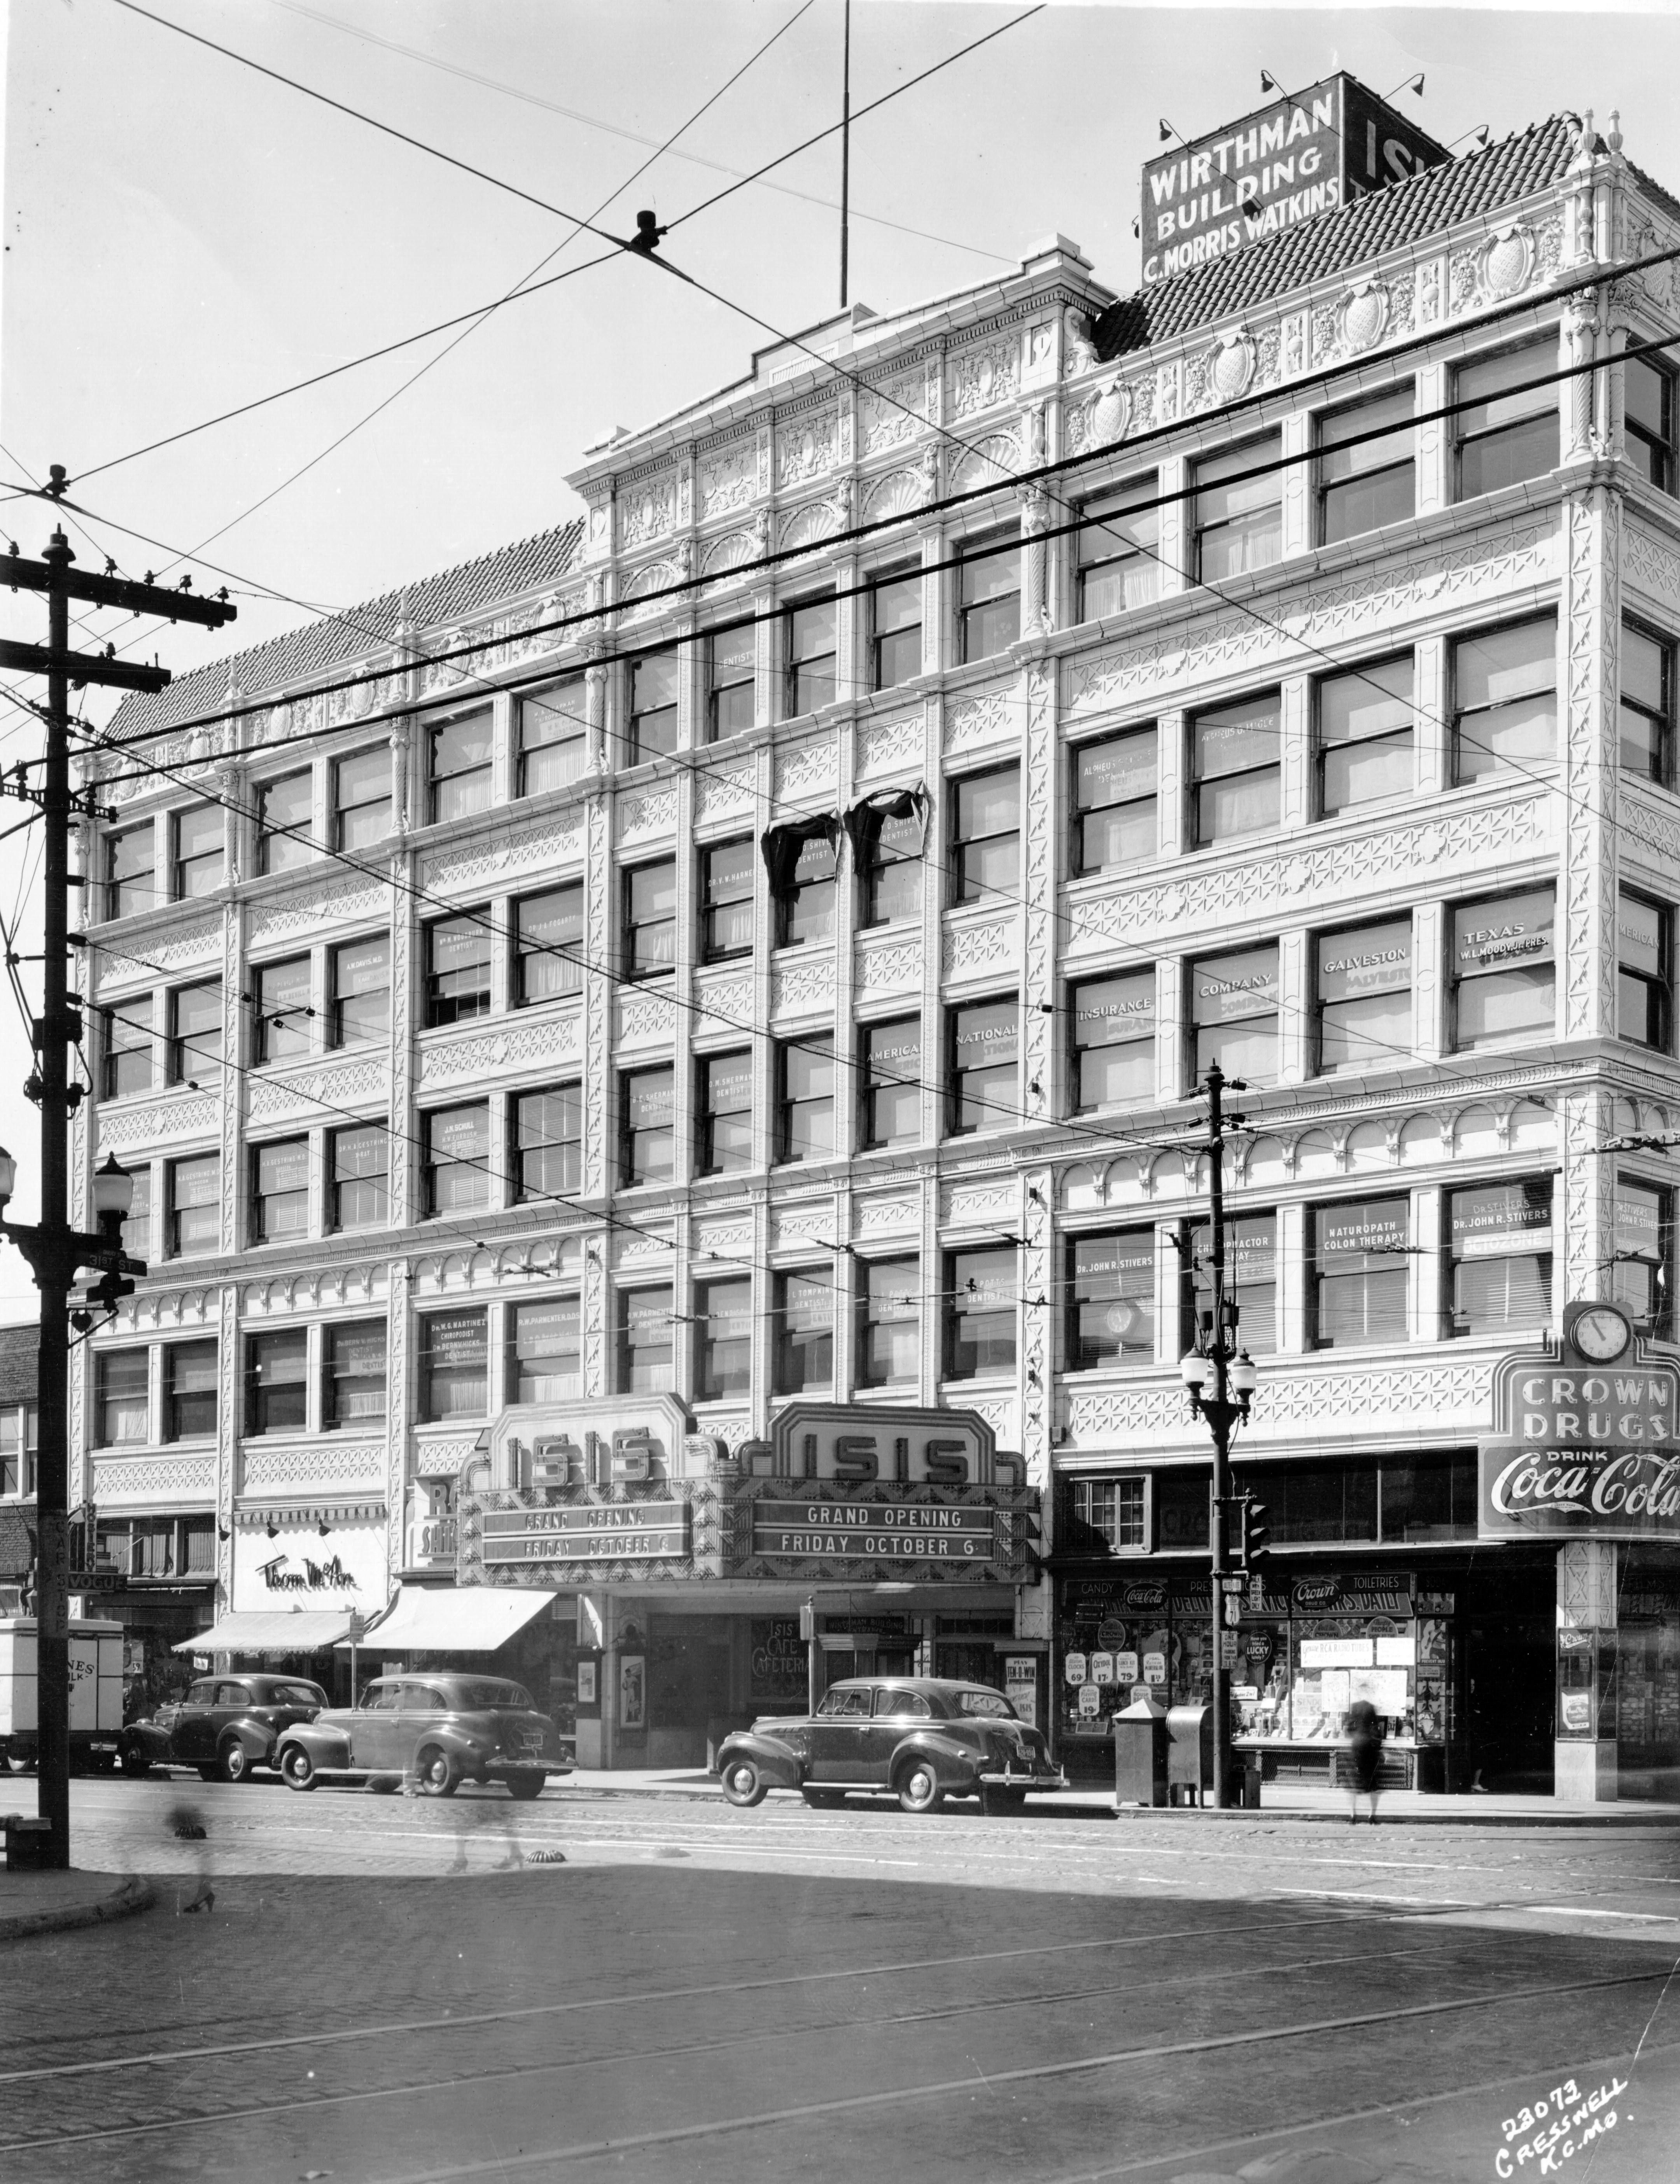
(440, 1731)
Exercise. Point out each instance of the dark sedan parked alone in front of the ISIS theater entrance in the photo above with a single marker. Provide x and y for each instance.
(921, 1737)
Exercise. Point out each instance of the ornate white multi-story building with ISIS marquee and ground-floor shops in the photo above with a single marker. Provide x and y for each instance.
(665, 1017)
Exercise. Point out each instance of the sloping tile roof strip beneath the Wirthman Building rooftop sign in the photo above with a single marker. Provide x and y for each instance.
(1367, 228)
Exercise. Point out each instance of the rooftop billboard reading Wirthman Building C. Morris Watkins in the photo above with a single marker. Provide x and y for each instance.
(1305, 154)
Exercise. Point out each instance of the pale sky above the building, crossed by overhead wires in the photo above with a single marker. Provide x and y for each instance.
(182, 235)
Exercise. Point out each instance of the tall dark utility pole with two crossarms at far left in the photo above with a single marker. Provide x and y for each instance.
(56, 1253)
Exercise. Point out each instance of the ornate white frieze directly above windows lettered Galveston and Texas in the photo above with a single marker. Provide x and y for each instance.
(1297, 881)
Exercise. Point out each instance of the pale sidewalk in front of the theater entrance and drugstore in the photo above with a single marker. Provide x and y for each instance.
(1277, 1803)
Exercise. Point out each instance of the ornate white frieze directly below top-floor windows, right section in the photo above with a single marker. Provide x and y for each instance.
(1375, 602)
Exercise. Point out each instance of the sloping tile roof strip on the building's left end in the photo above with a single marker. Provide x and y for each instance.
(338, 639)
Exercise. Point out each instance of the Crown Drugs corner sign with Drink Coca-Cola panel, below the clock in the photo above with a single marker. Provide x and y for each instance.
(1589, 1453)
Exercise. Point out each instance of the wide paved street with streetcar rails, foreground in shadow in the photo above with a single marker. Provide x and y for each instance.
(661, 1989)
